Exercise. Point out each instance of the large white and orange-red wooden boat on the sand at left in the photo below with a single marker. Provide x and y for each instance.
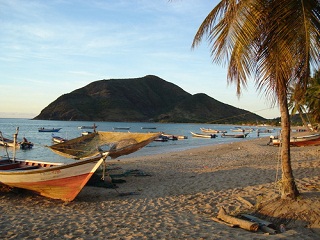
(53, 180)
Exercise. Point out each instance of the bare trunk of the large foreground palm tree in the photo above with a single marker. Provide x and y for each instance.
(289, 189)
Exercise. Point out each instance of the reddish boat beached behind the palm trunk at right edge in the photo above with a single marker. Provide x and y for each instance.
(307, 140)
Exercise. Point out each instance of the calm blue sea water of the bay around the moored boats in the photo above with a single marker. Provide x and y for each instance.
(29, 129)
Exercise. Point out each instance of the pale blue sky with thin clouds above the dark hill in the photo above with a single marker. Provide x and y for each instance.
(51, 48)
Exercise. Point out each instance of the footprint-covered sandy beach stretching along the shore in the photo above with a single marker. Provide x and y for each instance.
(175, 196)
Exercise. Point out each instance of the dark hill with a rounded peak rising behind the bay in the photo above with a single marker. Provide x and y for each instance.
(149, 98)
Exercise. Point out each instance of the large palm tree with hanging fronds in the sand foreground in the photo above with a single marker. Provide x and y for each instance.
(273, 41)
